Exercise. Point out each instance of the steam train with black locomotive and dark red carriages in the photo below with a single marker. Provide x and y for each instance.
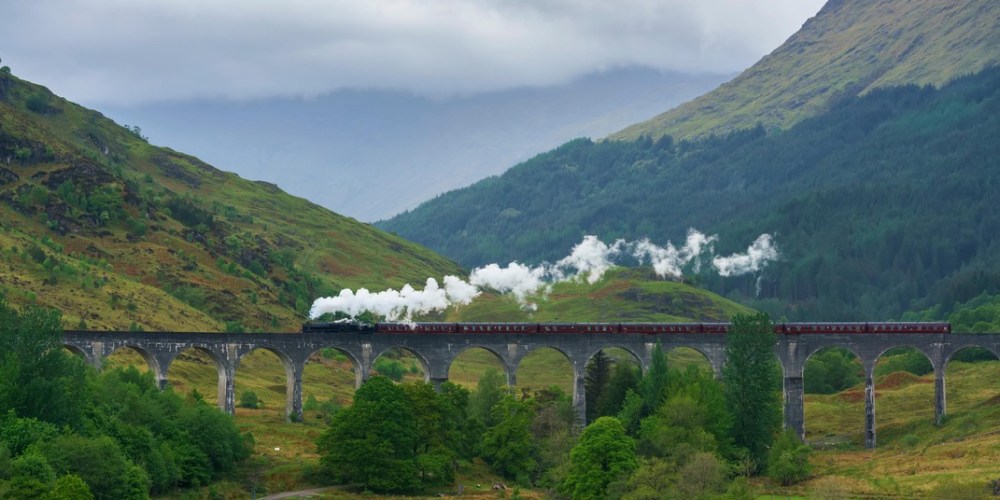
(617, 328)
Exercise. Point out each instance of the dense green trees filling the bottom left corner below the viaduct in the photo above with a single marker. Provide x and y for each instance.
(69, 432)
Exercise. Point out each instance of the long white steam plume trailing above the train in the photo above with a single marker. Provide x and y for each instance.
(588, 260)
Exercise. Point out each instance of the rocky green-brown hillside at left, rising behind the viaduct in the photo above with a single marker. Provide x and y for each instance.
(117, 233)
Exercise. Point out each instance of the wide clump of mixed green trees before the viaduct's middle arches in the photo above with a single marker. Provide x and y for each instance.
(666, 433)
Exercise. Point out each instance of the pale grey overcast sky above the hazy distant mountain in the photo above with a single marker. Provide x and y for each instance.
(123, 52)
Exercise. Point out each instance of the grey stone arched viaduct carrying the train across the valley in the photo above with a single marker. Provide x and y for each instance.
(436, 352)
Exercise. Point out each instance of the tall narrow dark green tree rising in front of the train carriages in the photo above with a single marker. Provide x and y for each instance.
(751, 388)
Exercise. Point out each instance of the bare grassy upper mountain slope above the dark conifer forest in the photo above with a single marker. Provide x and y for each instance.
(849, 48)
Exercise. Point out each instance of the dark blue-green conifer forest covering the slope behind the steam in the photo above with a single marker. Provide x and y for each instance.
(881, 205)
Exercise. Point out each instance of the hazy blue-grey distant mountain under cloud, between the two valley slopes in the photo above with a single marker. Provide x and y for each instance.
(370, 154)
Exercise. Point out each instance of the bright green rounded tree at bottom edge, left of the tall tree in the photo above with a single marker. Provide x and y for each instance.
(603, 454)
